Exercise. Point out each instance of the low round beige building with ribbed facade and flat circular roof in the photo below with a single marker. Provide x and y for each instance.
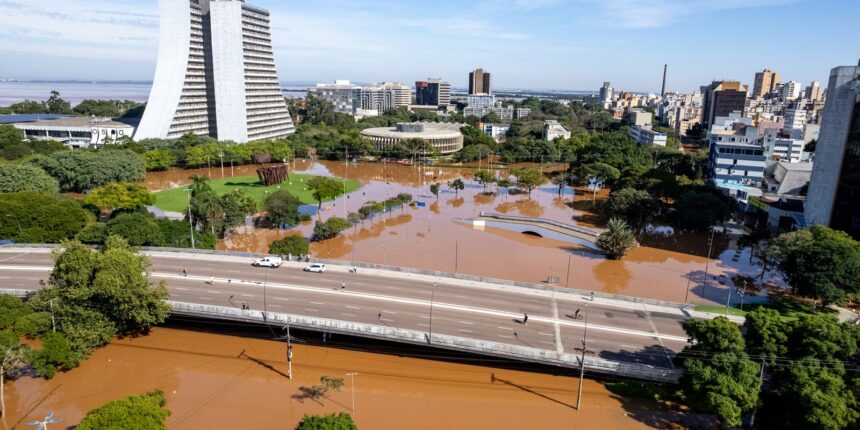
(446, 138)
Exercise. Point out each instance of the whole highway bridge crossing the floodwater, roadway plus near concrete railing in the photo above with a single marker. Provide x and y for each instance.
(623, 336)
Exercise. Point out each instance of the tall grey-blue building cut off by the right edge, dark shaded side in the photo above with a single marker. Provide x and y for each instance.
(834, 190)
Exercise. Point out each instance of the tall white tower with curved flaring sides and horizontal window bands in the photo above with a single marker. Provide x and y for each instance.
(215, 75)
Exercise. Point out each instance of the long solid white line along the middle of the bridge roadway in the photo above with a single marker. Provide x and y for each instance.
(448, 306)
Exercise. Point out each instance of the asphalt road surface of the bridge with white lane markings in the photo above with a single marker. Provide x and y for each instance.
(619, 331)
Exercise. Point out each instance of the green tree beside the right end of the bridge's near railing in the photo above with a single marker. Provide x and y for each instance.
(719, 377)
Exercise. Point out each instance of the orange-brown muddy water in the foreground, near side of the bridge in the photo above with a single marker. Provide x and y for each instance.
(227, 382)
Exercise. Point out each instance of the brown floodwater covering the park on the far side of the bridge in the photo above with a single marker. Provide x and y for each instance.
(430, 237)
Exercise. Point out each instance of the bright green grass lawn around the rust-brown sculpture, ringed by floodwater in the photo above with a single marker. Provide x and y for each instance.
(176, 200)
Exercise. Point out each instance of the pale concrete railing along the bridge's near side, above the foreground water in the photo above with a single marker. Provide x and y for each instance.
(476, 346)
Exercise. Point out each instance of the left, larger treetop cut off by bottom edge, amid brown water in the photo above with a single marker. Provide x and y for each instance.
(145, 412)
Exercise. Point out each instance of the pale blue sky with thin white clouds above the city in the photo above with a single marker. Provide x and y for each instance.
(536, 44)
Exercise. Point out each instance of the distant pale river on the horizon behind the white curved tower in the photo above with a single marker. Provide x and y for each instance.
(74, 92)
